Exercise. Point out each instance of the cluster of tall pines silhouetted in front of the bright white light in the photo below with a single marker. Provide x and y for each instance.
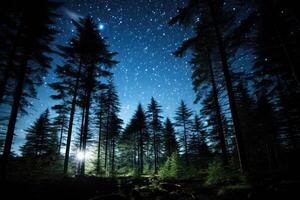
(87, 60)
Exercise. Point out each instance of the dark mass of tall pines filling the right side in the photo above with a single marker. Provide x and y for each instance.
(262, 98)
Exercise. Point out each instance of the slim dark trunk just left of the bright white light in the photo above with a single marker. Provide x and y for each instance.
(72, 113)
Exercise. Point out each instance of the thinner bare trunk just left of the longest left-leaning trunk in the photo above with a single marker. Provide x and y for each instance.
(218, 114)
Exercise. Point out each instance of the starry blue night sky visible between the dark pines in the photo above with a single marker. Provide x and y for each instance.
(138, 30)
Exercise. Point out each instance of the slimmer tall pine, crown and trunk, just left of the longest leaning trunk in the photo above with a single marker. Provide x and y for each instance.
(203, 73)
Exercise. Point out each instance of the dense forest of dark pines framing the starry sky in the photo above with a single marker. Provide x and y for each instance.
(244, 135)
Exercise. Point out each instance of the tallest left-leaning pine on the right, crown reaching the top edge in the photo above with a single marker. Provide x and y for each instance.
(220, 21)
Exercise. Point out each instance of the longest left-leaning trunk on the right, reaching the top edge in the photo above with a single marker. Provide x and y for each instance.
(231, 97)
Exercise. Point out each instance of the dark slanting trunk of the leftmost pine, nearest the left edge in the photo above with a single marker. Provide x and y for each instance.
(13, 116)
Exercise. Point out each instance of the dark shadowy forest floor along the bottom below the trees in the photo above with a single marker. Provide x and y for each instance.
(93, 188)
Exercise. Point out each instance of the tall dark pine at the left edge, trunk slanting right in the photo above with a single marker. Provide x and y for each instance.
(27, 35)
